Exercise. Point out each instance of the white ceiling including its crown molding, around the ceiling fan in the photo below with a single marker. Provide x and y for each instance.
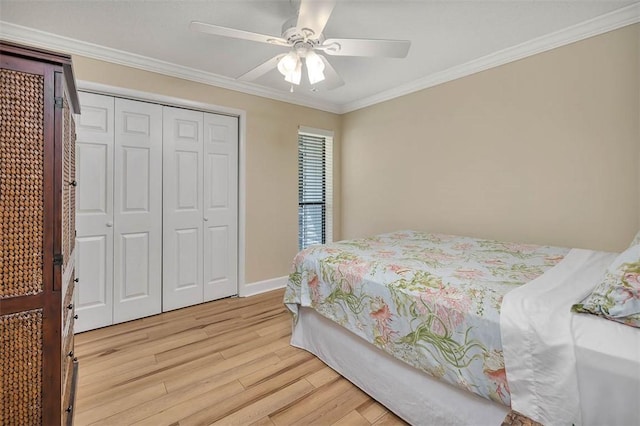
(448, 38)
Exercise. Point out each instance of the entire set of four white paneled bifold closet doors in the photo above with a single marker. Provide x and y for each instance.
(157, 208)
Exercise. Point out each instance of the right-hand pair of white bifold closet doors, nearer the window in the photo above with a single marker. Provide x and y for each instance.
(200, 207)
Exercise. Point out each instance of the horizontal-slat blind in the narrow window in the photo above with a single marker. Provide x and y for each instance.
(312, 190)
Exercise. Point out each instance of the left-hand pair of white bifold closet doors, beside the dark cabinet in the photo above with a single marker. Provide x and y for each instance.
(119, 210)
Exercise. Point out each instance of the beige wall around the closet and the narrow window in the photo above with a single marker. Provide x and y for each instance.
(271, 158)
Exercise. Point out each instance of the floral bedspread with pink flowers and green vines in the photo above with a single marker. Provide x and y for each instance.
(430, 300)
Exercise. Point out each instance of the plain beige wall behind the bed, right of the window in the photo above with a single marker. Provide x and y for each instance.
(541, 150)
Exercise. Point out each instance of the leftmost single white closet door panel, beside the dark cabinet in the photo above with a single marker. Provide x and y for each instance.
(94, 212)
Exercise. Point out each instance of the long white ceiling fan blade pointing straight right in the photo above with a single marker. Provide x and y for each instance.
(364, 47)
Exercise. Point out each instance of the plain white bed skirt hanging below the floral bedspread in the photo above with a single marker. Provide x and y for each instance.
(411, 394)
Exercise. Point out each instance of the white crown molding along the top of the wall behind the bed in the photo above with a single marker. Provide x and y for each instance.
(611, 21)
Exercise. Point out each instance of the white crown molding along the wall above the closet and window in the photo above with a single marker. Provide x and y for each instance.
(45, 40)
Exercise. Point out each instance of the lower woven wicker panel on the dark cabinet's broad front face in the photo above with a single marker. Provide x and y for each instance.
(21, 357)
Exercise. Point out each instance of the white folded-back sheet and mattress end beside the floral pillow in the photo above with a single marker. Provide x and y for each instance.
(564, 367)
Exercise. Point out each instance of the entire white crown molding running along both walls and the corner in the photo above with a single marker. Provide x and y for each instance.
(599, 25)
